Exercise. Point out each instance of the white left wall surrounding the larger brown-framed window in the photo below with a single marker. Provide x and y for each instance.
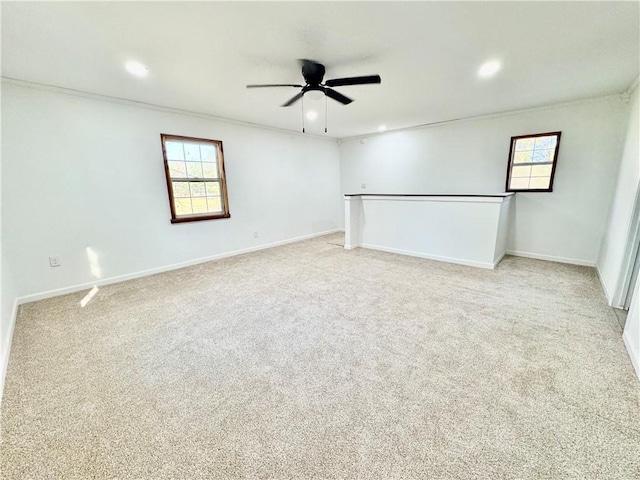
(83, 173)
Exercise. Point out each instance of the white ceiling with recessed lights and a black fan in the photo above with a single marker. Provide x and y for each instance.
(201, 55)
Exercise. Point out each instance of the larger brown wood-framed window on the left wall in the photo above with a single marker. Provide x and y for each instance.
(195, 178)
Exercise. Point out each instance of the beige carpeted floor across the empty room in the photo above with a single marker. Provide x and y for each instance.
(310, 361)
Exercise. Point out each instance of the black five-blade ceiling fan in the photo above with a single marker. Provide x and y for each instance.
(313, 73)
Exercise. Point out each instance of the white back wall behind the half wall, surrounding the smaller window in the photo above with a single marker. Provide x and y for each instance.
(471, 157)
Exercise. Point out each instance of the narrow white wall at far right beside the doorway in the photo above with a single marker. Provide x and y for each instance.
(614, 240)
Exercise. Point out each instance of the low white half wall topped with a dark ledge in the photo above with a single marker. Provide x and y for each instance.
(463, 230)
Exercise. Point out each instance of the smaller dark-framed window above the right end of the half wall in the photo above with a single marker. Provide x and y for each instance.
(532, 162)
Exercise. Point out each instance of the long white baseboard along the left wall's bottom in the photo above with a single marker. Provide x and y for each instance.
(152, 271)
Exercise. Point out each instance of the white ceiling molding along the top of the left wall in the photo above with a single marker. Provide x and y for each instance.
(151, 106)
